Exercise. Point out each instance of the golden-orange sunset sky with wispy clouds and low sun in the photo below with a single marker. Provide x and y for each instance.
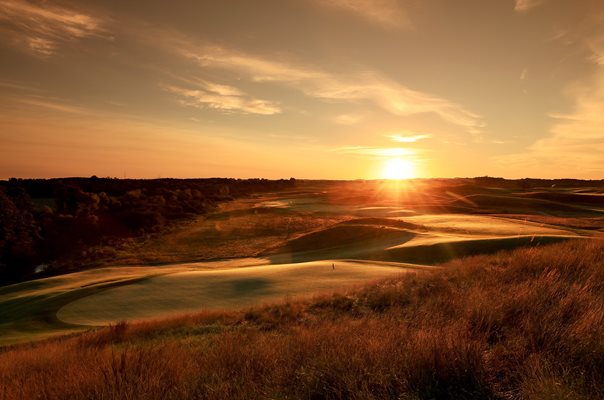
(318, 89)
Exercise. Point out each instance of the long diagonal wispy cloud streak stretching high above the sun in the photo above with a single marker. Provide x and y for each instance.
(368, 87)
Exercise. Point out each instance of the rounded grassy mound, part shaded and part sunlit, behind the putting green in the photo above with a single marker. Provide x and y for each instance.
(424, 239)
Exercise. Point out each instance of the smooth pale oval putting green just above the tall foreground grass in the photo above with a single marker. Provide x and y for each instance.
(188, 291)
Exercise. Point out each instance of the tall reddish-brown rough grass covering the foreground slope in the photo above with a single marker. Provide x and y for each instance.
(526, 324)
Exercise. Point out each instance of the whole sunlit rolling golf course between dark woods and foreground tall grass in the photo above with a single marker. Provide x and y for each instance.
(268, 247)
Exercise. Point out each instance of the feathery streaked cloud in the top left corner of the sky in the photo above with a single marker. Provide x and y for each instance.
(42, 27)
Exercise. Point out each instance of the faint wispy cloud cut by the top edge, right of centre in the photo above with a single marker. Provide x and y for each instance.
(386, 13)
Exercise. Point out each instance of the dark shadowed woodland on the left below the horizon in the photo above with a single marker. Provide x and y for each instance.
(44, 220)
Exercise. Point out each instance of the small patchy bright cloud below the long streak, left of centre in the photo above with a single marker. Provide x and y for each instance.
(222, 97)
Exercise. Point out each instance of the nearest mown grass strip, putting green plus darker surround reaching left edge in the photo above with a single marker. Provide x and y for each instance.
(73, 302)
